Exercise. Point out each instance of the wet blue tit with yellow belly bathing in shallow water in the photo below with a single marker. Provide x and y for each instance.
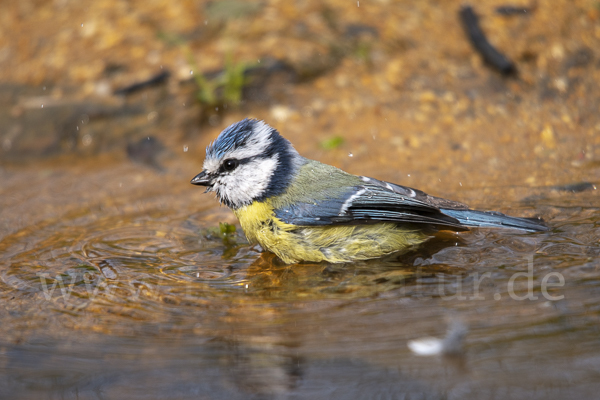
(303, 210)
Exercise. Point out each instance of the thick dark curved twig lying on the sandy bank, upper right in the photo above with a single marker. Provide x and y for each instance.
(492, 56)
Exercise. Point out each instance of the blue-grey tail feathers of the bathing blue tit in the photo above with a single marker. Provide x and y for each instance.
(495, 219)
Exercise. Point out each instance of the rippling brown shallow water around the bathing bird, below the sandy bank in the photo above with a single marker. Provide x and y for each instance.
(138, 295)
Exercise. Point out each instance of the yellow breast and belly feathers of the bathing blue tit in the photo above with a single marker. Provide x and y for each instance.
(334, 244)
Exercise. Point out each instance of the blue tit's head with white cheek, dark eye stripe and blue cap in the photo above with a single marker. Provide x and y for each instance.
(248, 162)
